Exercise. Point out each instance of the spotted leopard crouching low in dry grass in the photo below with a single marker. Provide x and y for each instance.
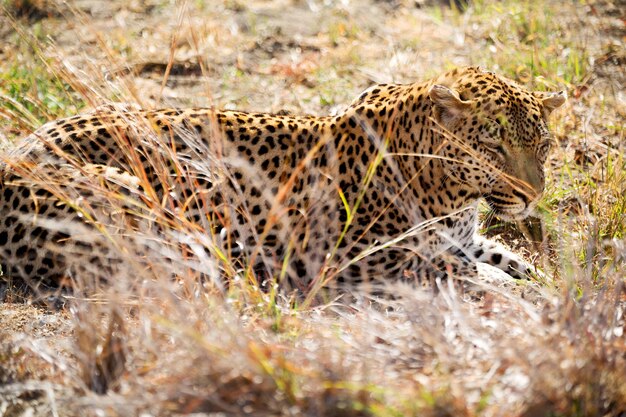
(387, 189)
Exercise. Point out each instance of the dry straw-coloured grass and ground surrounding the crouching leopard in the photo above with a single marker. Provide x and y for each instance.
(148, 345)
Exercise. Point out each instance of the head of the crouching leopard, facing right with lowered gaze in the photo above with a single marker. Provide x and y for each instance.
(495, 137)
